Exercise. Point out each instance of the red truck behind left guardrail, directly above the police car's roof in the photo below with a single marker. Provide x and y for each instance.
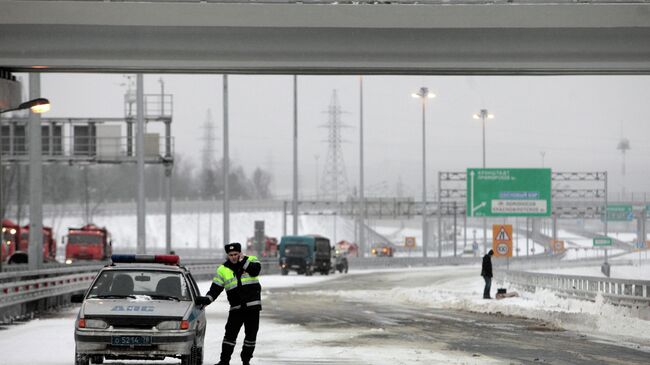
(88, 243)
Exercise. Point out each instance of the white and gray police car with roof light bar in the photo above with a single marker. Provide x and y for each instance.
(141, 307)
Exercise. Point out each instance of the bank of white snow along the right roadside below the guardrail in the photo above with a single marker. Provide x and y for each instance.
(464, 292)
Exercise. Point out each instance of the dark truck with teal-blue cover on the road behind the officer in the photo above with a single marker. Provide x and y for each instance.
(305, 254)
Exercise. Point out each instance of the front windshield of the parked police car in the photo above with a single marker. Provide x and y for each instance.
(157, 285)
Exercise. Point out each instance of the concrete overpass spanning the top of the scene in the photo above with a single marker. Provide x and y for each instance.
(496, 37)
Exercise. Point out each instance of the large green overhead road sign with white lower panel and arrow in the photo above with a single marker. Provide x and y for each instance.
(508, 192)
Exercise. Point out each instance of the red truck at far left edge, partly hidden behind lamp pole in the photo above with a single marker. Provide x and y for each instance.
(20, 242)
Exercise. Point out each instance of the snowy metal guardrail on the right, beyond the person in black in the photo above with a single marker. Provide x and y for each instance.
(631, 293)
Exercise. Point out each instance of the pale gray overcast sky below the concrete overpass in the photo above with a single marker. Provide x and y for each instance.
(576, 120)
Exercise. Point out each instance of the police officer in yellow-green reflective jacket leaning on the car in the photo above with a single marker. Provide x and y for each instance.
(239, 277)
